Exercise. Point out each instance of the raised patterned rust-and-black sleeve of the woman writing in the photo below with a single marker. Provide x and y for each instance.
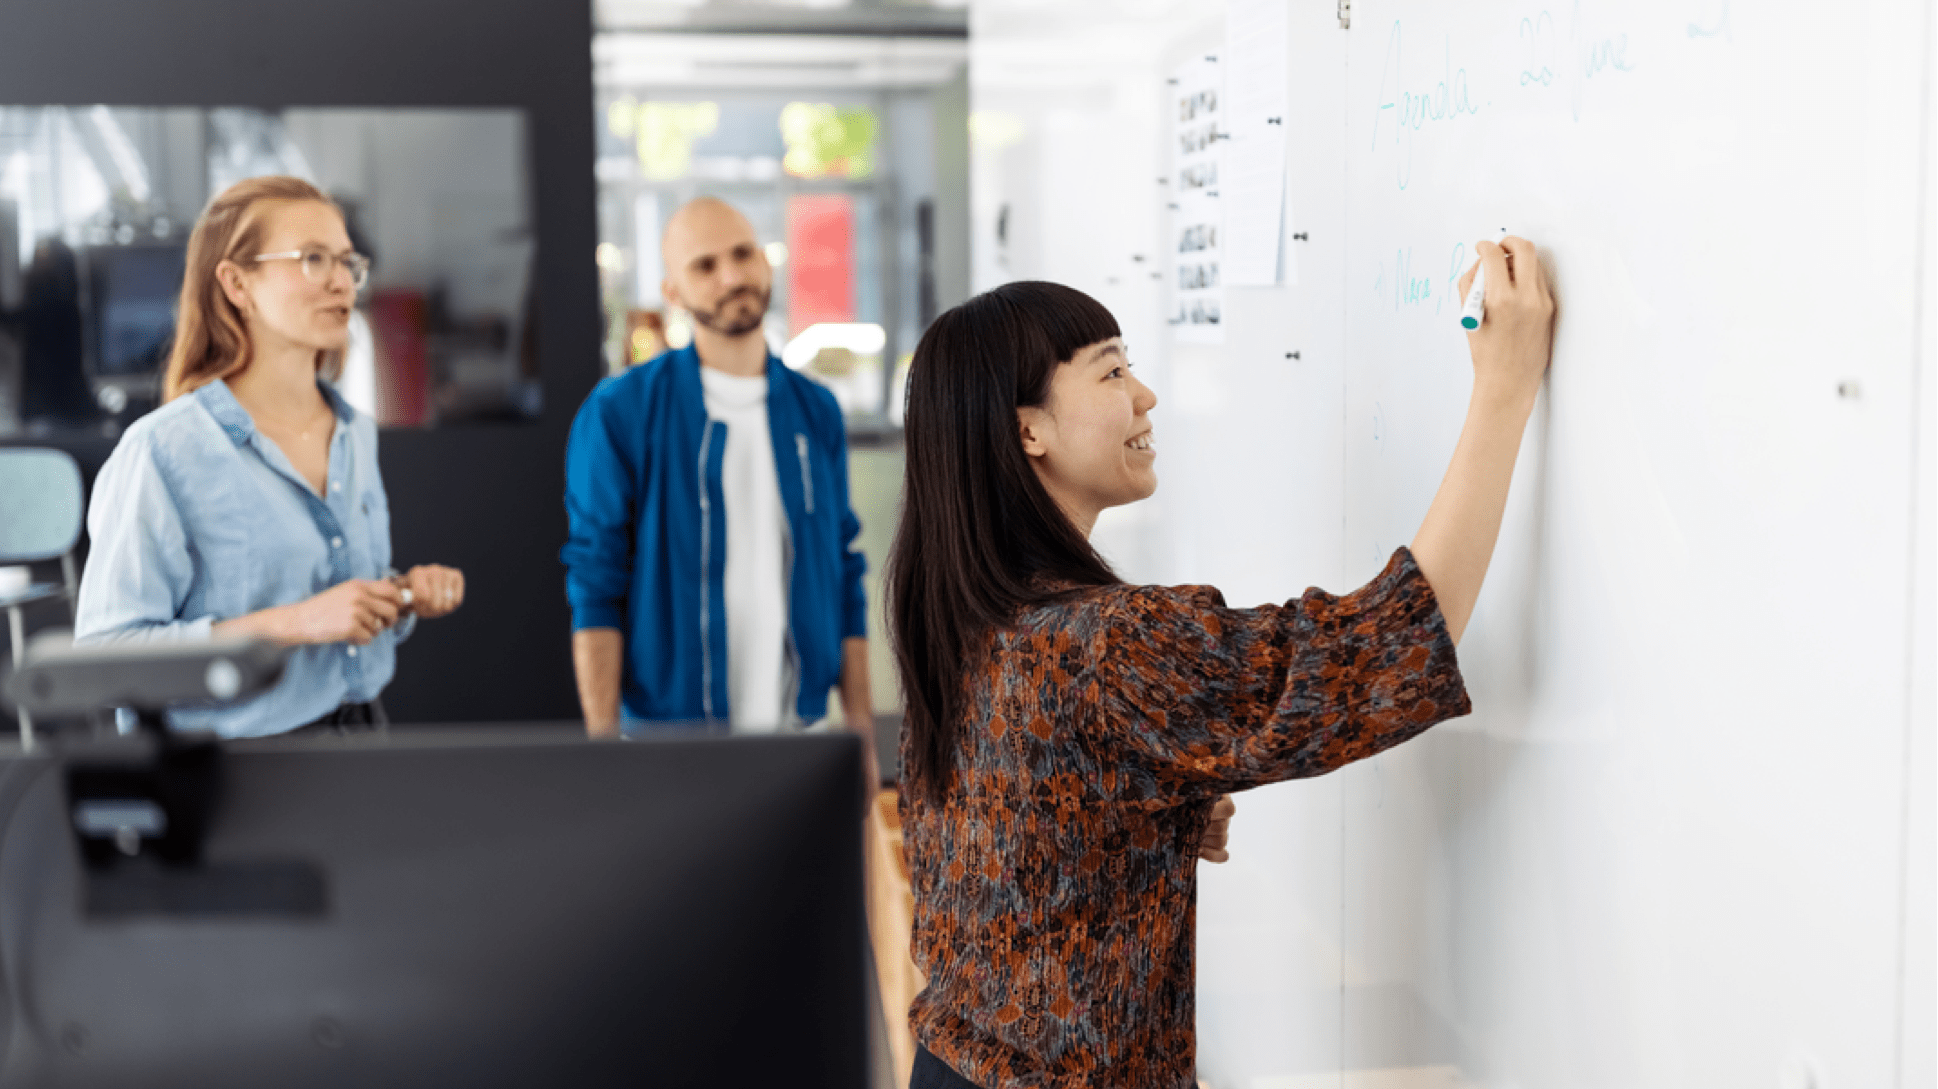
(1212, 699)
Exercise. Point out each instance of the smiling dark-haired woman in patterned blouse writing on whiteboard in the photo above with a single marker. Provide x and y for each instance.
(1071, 735)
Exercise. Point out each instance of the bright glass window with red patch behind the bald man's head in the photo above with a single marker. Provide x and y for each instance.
(838, 187)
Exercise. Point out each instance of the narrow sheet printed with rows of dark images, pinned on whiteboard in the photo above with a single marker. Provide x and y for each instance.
(1199, 309)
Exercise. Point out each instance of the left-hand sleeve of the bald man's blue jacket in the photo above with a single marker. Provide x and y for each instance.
(600, 513)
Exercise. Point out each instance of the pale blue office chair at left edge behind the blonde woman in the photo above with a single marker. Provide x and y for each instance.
(40, 520)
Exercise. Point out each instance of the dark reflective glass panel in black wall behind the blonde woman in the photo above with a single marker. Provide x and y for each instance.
(98, 202)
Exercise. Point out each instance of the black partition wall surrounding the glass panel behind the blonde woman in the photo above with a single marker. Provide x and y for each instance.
(484, 499)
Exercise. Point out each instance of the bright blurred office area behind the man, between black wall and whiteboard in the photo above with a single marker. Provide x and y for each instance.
(842, 131)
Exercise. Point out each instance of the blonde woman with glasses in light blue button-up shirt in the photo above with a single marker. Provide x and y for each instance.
(251, 503)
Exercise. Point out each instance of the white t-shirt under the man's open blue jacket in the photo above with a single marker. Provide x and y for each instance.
(757, 557)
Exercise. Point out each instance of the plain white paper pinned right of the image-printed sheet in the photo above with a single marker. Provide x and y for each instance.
(1255, 156)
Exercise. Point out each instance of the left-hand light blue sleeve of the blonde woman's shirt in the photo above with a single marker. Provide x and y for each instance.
(141, 567)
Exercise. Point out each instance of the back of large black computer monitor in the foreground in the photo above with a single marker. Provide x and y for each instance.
(466, 910)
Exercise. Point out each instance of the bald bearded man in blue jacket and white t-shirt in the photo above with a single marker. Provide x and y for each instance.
(712, 561)
